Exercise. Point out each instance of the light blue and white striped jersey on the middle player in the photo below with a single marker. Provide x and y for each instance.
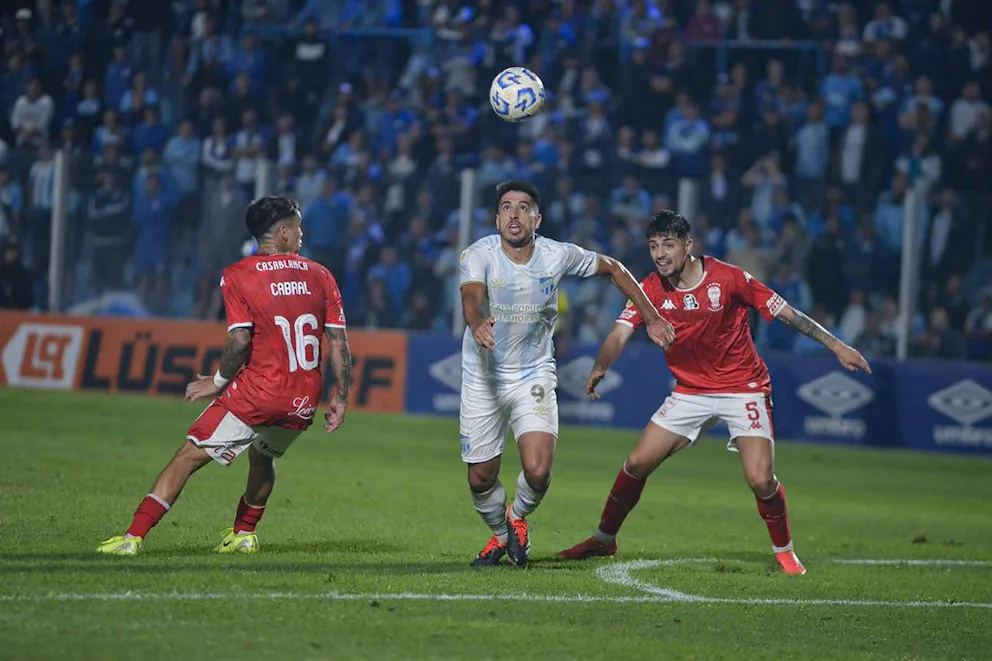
(523, 299)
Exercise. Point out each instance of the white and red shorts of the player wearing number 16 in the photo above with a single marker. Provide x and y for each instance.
(224, 436)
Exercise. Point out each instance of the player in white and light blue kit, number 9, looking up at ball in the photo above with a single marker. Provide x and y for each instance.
(509, 287)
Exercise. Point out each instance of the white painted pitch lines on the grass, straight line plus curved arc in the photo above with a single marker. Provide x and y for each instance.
(616, 574)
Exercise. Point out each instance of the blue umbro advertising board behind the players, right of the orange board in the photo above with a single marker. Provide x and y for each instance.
(922, 405)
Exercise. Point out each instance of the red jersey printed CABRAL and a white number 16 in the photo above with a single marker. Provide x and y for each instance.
(287, 301)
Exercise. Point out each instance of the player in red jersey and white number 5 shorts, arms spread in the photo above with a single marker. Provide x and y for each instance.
(718, 376)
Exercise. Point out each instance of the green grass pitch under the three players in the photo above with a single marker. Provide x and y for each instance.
(367, 539)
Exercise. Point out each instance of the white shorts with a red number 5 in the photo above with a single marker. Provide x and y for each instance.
(745, 414)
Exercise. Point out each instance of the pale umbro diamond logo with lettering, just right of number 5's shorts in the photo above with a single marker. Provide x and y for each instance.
(837, 395)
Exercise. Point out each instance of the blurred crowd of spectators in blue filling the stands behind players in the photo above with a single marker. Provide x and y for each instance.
(801, 125)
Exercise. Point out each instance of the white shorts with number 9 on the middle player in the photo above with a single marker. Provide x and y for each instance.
(487, 414)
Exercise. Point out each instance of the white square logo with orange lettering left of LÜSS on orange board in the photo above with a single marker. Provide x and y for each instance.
(43, 356)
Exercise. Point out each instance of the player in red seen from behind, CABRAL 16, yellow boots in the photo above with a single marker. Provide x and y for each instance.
(269, 382)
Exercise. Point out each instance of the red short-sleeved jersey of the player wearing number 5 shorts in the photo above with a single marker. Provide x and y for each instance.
(713, 351)
